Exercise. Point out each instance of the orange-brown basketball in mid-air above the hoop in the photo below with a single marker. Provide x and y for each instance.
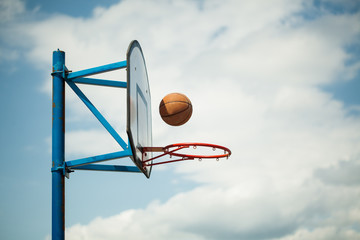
(175, 109)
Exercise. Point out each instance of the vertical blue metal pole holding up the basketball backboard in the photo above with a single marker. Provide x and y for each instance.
(58, 147)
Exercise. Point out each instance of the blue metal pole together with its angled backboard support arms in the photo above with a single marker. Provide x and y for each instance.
(60, 167)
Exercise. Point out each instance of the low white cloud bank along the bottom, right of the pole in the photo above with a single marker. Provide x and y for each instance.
(219, 213)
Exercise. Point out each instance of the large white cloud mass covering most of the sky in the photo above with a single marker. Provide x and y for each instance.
(253, 71)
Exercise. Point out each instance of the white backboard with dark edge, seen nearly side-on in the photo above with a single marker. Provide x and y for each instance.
(139, 119)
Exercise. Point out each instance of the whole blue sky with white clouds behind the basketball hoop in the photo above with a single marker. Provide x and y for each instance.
(277, 82)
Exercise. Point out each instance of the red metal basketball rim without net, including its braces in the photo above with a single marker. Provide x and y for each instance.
(175, 150)
